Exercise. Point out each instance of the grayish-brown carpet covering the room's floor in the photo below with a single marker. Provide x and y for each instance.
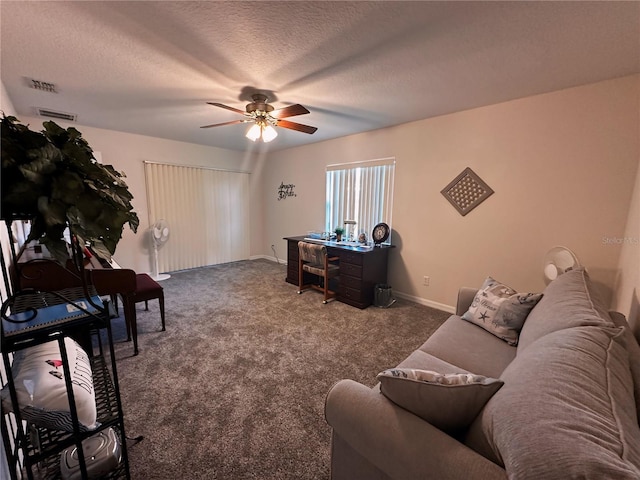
(235, 388)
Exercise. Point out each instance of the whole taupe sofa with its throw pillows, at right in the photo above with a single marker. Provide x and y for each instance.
(556, 398)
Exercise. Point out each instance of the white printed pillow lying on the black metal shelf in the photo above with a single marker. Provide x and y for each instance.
(41, 390)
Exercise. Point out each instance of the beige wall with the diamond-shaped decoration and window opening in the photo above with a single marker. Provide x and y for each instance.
(562, 164)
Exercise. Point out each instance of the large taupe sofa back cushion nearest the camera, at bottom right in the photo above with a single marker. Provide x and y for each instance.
(566, 410)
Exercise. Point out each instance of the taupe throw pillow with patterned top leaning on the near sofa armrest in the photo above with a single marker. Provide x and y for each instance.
(449, 402)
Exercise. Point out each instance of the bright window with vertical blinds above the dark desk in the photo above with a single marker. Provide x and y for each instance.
(361, 192)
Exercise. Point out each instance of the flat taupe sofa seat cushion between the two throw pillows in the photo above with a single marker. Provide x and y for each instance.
(470, 347)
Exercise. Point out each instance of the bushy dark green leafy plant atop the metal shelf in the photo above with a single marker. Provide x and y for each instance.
(52, 178)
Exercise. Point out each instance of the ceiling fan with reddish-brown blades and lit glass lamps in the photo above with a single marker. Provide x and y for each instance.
(264, 117)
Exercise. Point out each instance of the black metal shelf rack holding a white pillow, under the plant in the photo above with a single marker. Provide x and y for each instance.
(36, 451)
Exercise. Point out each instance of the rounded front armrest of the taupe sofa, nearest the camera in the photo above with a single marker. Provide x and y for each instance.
(397, 442)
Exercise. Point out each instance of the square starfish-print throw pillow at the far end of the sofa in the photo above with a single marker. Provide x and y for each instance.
(501, 310)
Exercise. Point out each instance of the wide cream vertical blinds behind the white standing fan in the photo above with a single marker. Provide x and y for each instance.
(207, 211)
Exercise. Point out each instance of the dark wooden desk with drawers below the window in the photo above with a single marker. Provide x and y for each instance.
(360, 269)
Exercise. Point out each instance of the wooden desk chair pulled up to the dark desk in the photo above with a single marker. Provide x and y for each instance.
(314, 259)
